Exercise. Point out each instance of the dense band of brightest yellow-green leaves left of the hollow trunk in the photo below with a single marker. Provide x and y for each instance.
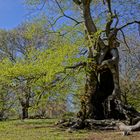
(43, 64)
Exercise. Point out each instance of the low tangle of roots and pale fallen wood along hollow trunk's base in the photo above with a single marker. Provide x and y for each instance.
(76, 124)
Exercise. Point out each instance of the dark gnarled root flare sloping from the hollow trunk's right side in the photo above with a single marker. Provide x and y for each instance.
(117, 110)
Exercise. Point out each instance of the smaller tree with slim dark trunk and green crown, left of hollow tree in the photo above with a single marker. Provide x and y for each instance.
(28, 75)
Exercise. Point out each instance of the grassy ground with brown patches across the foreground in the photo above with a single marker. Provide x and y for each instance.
(46, 130)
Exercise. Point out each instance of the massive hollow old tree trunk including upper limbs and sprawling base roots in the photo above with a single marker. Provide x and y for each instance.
(101, 104)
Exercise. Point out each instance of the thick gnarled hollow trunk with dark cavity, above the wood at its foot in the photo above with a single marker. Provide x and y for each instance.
(101, 99)
